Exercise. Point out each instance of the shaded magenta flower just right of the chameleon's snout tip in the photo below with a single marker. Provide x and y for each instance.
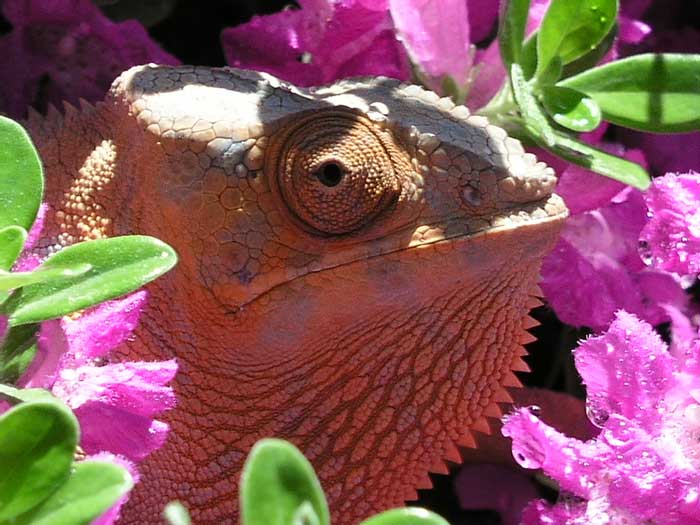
(596, 269)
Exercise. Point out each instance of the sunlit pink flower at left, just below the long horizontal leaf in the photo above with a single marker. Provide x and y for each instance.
(114, 403)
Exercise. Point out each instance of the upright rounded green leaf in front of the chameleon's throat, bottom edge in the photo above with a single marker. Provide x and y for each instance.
(276, 481)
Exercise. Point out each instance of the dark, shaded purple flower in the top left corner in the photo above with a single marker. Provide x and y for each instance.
(66, 50)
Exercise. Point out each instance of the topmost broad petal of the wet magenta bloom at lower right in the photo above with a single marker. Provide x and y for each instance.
(627, 371)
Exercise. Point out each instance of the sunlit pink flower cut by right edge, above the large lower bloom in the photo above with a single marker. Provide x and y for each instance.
(672, 235)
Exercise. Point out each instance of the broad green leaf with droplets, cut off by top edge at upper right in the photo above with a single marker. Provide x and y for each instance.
(572, 28)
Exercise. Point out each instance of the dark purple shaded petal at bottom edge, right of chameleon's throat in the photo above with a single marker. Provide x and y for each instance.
(495, 487)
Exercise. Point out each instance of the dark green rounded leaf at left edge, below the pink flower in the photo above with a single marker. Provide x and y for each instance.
(37, 444)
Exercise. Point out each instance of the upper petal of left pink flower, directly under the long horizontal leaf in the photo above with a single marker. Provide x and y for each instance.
(99, 331)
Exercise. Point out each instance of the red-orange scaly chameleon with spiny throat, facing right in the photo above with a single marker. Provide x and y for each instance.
(357, 262)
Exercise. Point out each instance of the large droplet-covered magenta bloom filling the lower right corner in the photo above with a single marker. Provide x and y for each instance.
(643, 467)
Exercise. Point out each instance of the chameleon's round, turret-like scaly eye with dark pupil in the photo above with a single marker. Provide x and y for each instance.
(334, 171)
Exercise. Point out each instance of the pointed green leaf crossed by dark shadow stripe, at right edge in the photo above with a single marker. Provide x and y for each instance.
(651, 92)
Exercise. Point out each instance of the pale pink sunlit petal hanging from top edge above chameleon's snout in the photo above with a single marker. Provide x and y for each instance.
(436, 36)
